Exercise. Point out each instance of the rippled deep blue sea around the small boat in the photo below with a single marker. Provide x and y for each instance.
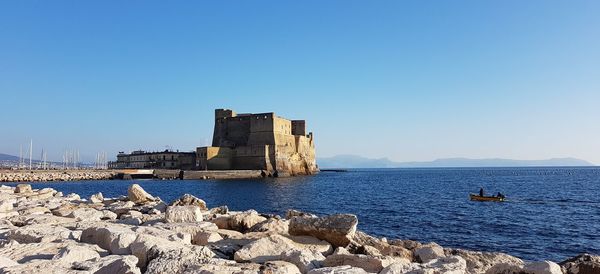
(551, 213)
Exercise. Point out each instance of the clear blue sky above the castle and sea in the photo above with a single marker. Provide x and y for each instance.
(408, 80)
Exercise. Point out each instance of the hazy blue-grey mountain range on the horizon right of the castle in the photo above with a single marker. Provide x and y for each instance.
(354, 161)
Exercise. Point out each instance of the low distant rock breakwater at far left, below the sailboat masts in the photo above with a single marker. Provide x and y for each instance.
(56, 175)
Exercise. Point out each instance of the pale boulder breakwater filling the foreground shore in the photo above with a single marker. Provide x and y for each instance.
(44, 231)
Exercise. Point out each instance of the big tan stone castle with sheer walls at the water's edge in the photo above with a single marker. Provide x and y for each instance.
(262, 141)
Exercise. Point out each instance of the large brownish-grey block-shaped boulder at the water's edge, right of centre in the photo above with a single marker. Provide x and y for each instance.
(336, 229)
